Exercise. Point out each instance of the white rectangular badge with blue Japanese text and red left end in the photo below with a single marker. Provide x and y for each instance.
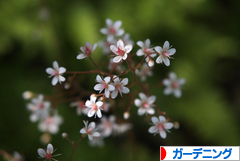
(199, 153)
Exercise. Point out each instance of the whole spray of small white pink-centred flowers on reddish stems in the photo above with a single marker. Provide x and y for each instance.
(112, 89)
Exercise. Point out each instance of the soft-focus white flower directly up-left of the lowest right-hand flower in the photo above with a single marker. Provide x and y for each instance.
(145, 104)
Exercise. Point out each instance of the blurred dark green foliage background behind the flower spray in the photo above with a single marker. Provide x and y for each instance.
(34, 33)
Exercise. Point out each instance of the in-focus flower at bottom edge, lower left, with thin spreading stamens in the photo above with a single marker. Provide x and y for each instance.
(47, 153)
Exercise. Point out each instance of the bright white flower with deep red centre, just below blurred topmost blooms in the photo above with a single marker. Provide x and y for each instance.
(121, 51)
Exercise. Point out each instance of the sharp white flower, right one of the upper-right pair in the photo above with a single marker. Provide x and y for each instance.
(164, 53)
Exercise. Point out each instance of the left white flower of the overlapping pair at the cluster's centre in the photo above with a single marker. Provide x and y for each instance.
(104, 84)
